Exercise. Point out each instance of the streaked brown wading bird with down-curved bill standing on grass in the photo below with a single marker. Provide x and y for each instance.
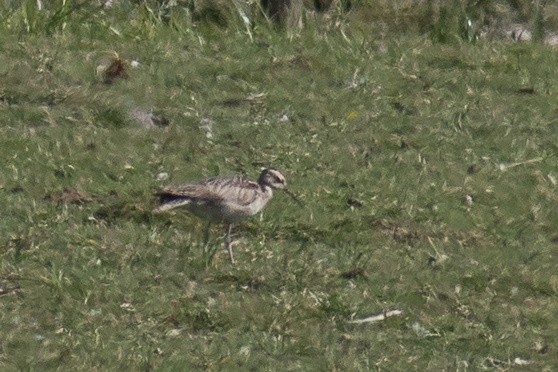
(227, 200)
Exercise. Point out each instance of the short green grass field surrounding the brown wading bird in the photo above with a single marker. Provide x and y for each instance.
(382, 138)
